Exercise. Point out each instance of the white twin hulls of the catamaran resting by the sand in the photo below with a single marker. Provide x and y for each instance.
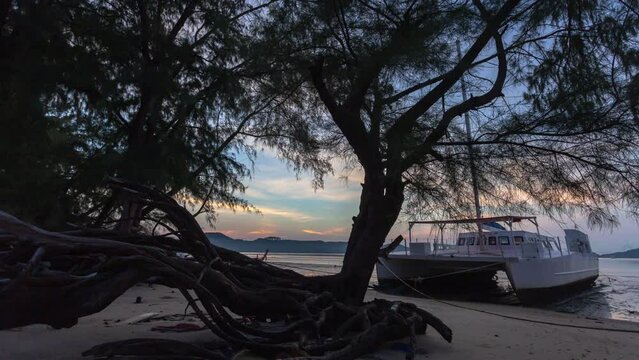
(535, 281)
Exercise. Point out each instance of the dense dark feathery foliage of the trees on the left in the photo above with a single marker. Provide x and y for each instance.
(161, 92)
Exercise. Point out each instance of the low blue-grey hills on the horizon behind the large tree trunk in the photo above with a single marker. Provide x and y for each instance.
(280, 245)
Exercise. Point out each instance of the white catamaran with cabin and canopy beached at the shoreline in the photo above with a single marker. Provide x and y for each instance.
(540, 268)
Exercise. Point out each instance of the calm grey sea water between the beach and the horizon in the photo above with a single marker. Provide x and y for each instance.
(614, 296)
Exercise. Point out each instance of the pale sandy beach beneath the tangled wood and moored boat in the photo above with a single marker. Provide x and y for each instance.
(477, 335)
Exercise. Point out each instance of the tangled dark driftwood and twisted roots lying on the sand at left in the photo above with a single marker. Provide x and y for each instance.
(55, 278)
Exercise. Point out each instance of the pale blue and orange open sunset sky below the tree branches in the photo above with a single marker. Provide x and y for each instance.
(289, 208)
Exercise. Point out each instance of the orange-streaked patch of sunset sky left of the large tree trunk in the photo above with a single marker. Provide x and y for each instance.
(289, 207)
